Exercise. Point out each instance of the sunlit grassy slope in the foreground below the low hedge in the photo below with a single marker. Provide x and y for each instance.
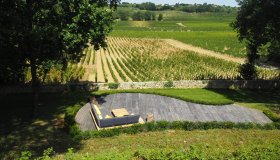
(206, 144)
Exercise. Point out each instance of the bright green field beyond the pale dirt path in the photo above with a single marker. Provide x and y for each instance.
(210, 31)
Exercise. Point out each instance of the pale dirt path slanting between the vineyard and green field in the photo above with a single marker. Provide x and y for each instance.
(199, 50)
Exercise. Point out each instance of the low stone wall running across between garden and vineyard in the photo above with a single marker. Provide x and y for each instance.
(88, 86)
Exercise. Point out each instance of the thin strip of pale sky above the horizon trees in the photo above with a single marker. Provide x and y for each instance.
(219, 2)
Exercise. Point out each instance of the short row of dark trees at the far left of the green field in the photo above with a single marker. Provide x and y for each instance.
(125, 15)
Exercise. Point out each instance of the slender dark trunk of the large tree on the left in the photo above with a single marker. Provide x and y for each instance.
(35, 88)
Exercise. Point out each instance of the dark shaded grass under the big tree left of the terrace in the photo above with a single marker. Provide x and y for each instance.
(18, 132)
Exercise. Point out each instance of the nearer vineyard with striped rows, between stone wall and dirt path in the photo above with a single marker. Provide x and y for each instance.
(138, 60)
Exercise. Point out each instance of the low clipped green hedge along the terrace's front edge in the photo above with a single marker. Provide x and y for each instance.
(165, 125)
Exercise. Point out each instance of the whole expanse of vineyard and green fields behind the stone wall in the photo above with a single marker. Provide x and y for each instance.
(140, 51)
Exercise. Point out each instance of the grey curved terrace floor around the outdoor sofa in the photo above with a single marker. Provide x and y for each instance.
(169, 109)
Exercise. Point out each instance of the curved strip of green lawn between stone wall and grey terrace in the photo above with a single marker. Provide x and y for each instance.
(210, 96)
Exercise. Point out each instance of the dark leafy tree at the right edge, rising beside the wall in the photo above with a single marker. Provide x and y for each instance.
(258, 24)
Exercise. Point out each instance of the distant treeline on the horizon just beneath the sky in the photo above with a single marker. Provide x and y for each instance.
(181, 7)
